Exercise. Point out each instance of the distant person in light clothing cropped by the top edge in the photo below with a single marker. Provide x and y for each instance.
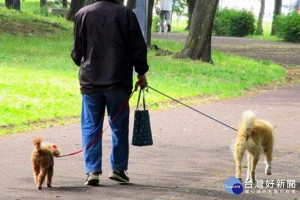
(165, 14)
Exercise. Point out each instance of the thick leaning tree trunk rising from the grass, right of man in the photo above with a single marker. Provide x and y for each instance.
(198, 43)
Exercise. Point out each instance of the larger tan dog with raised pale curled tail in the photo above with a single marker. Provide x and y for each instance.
(254, 136)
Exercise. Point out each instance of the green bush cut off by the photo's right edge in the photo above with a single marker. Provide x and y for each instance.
(288, 27)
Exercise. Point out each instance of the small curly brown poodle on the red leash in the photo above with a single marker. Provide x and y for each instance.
(43, 161)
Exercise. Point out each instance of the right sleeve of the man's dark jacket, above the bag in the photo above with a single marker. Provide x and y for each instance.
(138, 45)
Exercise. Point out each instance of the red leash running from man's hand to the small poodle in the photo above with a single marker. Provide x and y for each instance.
(101, 133)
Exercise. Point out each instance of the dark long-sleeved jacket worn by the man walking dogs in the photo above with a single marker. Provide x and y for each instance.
(108, 44)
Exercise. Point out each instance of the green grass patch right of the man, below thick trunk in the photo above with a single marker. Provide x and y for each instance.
(229, 77)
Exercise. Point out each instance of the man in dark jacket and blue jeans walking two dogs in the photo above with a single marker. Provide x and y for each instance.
(108, 43)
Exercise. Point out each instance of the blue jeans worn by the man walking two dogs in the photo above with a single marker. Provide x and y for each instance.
(92, 117)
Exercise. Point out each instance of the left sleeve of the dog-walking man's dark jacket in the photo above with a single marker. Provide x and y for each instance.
(76, 52)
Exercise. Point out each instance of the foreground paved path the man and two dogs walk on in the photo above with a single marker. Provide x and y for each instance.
(190, 159)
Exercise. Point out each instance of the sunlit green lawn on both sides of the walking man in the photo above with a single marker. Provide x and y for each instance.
(39, 85)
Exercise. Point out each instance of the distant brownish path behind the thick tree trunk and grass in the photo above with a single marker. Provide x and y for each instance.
(284, 53)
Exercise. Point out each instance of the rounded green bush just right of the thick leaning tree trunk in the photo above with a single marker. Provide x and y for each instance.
(230, 22)
